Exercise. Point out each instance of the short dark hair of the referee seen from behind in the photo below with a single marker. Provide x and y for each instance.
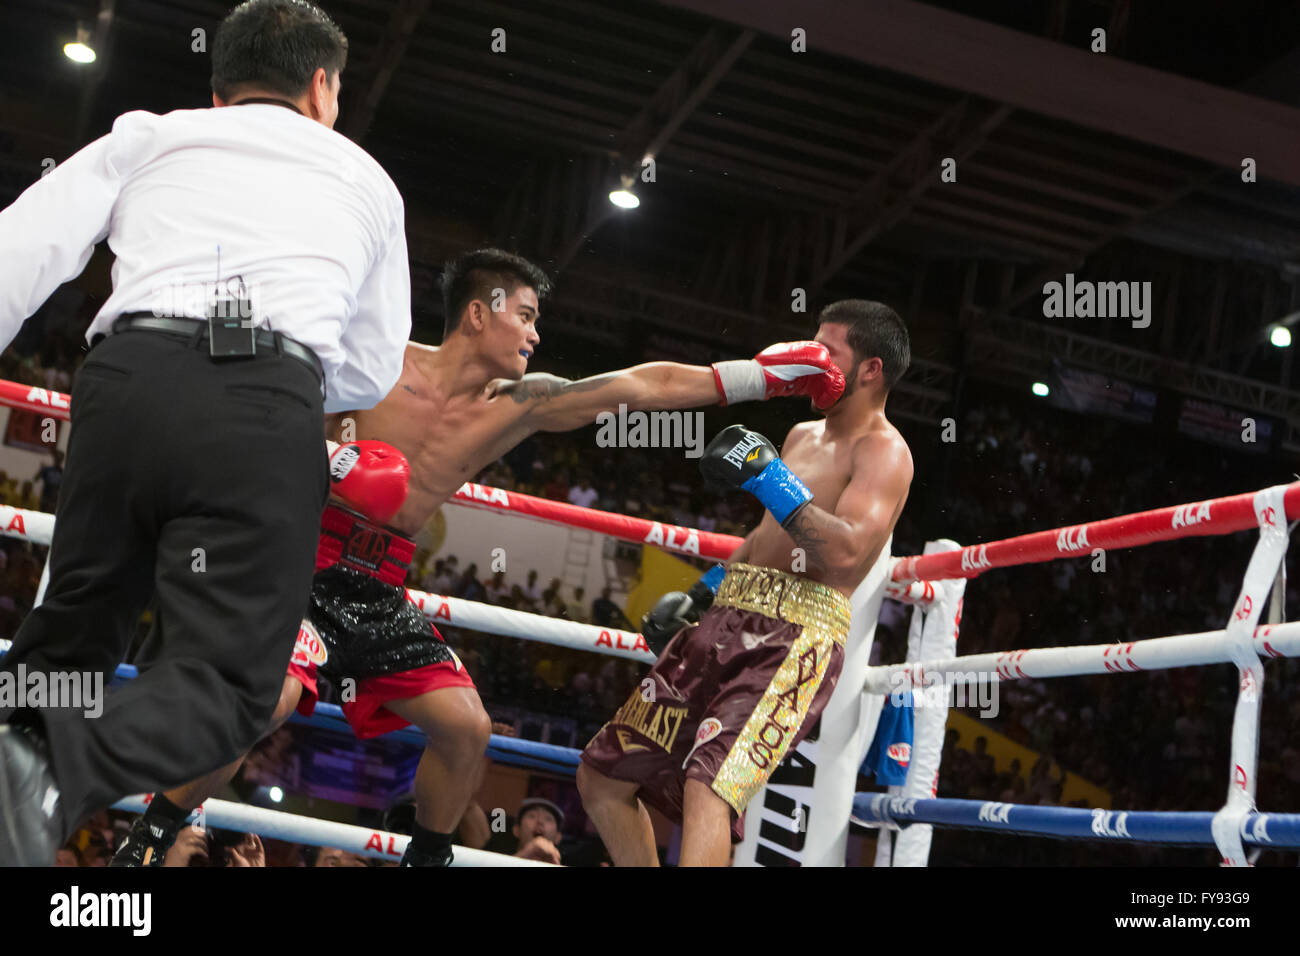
(276, 46)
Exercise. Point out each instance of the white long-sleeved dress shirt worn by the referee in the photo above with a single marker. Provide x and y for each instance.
(249, 202)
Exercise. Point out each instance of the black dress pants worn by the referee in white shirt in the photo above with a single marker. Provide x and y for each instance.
(201, 485)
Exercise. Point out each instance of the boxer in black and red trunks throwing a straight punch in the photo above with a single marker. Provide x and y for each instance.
(456, 410)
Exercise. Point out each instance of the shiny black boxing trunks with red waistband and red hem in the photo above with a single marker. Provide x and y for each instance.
(362, 628)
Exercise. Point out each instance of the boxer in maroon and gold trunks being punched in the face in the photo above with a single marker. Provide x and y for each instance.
(743, 676)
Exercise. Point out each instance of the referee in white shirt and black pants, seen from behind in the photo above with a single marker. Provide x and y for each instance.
(262, 280)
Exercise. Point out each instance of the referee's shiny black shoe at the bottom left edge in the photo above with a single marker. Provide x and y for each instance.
(31, 825)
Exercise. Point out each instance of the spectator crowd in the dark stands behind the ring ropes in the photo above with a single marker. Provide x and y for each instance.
(1155, 741)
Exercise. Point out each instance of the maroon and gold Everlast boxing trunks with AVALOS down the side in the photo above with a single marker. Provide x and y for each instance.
(733, 695)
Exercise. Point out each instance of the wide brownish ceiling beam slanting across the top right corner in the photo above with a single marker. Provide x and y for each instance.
(1102, 93)
